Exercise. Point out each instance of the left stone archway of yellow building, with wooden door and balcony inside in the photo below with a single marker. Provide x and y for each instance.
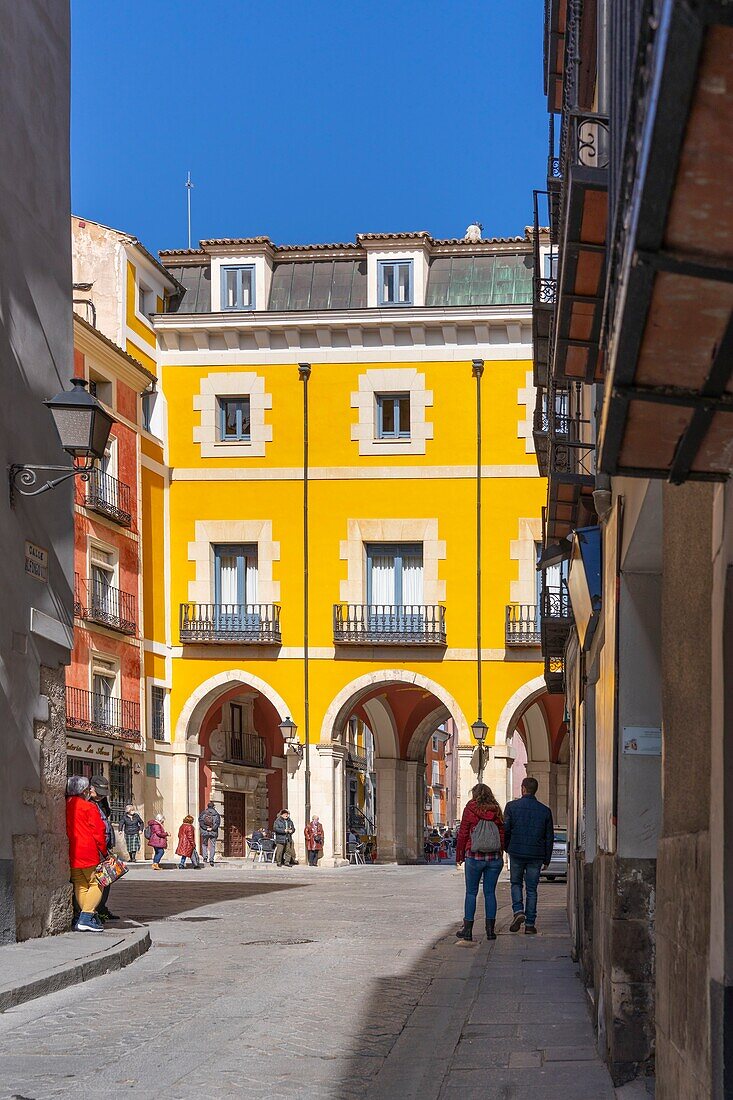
(237, 760)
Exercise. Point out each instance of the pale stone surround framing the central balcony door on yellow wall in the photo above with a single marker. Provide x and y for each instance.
(360, 532)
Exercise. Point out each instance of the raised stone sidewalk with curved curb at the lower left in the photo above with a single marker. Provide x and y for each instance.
(38, 967)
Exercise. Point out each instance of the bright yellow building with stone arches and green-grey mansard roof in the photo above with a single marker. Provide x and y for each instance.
(390, 328)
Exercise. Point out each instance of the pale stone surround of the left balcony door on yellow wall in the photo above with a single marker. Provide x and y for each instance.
(211, 533)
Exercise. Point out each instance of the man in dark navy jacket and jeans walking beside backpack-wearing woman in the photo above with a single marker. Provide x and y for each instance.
(529, 839)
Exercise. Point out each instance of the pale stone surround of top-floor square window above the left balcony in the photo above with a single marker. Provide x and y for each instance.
(233, 384)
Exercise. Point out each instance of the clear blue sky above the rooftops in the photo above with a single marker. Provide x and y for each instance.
(307, 120)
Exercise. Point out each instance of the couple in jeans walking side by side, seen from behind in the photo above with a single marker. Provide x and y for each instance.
(527, 833)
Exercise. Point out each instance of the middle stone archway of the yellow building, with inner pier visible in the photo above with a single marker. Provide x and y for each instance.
(402, 711)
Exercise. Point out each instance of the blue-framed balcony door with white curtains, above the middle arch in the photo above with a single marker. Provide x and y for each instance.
(395, 588)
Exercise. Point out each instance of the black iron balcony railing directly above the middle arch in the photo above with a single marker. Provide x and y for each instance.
(390, 625)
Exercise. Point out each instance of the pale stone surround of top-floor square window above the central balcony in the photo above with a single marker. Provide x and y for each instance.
(391, 381)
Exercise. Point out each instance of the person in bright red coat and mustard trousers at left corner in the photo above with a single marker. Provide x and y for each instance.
(87, 845)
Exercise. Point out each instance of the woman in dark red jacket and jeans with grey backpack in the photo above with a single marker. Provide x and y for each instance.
(480, 848)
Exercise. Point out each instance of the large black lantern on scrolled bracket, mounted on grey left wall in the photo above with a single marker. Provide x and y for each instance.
(83, 427)
